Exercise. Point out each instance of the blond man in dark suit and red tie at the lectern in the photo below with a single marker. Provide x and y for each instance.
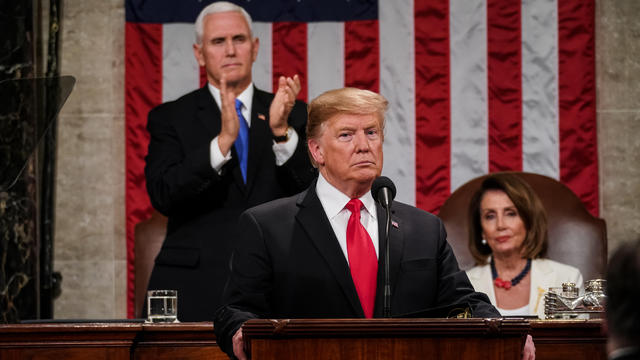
(312, 256)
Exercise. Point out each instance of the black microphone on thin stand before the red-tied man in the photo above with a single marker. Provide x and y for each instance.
(383, 192)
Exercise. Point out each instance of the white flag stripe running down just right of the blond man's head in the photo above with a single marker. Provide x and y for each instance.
(397, 84)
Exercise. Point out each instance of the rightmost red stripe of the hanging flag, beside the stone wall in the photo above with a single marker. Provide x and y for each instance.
(576, 84)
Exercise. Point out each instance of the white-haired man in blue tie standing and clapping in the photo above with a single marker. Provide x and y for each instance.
(199, 171)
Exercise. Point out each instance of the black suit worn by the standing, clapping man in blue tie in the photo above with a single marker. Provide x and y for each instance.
(202, 206)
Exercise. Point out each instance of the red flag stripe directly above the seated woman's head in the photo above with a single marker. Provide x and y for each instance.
(504, 63)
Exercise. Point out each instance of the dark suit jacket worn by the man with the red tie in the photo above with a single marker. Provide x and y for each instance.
(288, 264)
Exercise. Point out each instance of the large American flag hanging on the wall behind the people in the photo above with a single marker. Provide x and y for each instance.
(475, 86)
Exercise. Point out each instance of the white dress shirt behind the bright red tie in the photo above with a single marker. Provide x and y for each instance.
(333, 202)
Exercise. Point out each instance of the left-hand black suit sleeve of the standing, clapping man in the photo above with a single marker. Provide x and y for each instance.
(175, 178)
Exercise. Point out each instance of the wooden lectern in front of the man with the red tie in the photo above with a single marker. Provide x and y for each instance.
(385, 338)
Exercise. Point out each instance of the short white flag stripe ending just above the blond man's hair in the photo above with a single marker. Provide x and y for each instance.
(325, 57)
